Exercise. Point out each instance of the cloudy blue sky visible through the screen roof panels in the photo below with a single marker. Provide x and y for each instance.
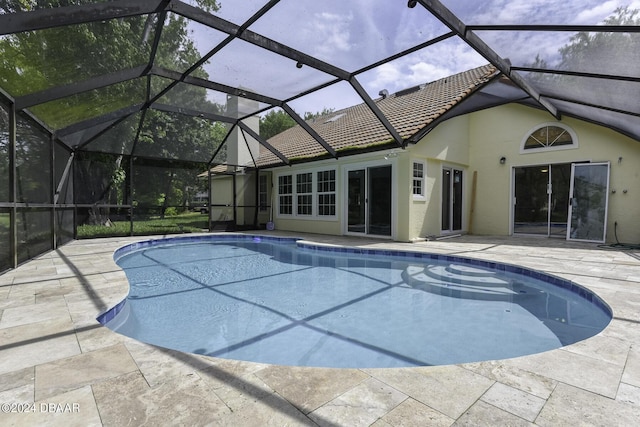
(353, 34)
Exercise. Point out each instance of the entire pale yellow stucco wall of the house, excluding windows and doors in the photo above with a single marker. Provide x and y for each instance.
(475, 143)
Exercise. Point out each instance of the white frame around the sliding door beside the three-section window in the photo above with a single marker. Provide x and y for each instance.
(345, 198)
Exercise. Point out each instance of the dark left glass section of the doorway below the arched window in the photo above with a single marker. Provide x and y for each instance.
(541, 200)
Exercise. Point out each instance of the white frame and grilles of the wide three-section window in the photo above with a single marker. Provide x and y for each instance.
(314, 194)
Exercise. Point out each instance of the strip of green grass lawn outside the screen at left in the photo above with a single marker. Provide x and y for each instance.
(190, 222)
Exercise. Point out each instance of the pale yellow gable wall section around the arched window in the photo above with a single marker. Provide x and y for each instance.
(500, 131)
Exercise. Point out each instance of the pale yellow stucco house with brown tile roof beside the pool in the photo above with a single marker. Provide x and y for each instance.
(478, 158)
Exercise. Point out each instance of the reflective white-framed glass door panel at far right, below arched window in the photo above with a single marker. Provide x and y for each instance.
(589, 202)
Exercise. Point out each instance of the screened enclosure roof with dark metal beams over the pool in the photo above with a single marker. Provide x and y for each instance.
(167, 79)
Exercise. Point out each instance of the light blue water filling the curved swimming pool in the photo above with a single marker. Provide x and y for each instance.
(274, 300)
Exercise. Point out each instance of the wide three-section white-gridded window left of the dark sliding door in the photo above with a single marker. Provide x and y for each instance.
(308, 194)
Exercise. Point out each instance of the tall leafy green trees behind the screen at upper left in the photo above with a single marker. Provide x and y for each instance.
(37, 60)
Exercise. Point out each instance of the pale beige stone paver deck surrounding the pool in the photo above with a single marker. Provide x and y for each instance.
(56, 351)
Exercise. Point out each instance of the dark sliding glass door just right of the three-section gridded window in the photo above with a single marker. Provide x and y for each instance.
(369, 201)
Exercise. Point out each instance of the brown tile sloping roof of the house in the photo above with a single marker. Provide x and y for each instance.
(355, 129)
